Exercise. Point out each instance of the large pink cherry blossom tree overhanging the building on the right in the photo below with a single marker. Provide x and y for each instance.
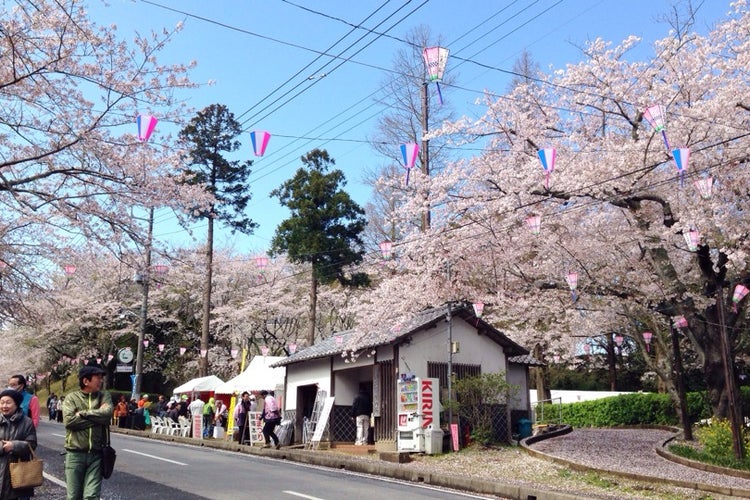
(615, 210)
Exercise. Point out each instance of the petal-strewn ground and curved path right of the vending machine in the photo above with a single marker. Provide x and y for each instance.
(621, 450)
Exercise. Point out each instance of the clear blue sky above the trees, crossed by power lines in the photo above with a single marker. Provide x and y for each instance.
(250, 48)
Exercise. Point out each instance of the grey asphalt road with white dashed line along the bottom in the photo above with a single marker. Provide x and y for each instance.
(156, 469)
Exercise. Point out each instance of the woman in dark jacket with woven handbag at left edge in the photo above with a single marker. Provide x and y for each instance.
(18, 440)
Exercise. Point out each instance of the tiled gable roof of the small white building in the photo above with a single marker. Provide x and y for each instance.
(331, 347)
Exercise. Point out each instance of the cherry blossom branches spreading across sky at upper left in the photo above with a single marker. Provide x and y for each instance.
(72, 167)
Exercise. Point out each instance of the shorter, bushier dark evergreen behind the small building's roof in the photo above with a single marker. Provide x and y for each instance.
(325, 227)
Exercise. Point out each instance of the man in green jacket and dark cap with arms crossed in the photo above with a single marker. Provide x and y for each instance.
(86, 415)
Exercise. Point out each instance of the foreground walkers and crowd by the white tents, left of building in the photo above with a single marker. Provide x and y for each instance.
(87, 414)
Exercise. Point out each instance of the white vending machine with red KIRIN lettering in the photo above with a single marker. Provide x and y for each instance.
(418, 414)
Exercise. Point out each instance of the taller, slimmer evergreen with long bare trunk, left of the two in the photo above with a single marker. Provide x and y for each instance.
(209, 134)
